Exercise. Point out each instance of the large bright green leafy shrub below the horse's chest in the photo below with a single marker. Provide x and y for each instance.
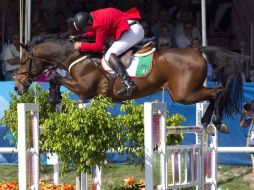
(82, 136)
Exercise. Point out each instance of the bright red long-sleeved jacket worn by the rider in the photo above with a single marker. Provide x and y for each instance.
(109, 22)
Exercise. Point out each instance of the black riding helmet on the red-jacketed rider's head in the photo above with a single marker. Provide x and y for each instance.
(81, 20)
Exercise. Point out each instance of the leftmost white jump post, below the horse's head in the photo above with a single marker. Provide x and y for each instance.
(33, 152)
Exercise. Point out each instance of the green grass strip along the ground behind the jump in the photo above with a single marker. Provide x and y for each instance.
(229, 177)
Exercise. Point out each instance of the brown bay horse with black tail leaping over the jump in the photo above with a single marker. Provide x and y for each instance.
(181, 71)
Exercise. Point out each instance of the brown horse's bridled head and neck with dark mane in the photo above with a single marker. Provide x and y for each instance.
(49, 52)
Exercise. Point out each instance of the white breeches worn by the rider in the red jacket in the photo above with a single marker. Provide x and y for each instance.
(128, 39)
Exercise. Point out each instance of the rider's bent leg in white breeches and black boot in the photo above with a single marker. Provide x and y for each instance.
(128, 39)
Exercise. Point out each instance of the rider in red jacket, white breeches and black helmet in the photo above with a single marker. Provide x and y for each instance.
(123, 27)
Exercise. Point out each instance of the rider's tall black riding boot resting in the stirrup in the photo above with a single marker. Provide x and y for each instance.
(128, 86)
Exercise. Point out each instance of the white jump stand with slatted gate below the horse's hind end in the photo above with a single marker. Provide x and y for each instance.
(155, 138)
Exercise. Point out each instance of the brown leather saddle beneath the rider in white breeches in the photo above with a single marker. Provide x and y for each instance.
(138, 51)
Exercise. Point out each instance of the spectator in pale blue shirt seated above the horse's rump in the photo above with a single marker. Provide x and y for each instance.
(184, 40)
